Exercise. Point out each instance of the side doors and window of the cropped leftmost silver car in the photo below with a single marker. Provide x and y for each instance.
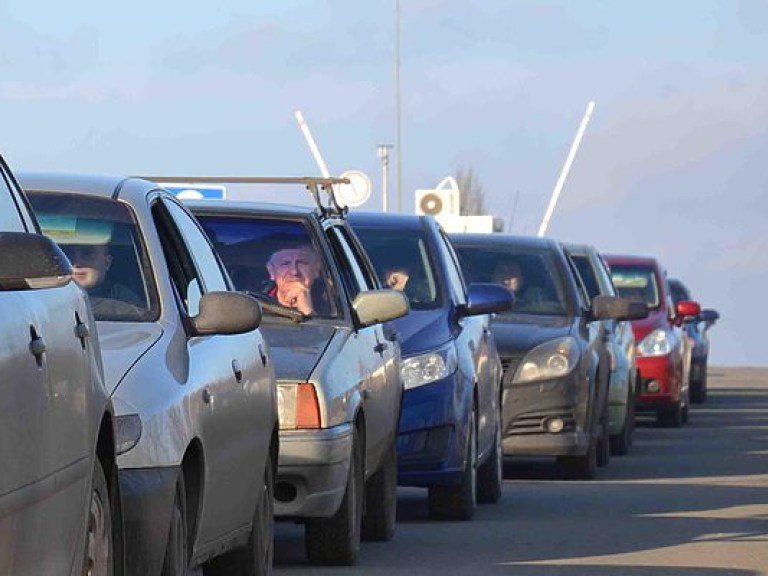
(45, 442)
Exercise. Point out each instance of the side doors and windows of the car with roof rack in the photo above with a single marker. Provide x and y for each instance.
(380, 383)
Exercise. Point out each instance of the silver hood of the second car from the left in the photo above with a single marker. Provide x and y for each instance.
(122, 344)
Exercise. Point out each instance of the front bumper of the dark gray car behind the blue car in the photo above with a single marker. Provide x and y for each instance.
(528, 409)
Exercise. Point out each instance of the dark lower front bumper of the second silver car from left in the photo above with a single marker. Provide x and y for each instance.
(147, 495)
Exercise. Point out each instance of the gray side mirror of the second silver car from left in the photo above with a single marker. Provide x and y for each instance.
(226, 313)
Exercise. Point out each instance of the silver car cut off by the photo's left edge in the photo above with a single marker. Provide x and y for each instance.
(59, 503)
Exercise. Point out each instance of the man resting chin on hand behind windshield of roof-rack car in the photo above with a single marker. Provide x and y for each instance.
(293, 270)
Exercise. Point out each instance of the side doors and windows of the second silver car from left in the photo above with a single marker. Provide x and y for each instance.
(229, 373)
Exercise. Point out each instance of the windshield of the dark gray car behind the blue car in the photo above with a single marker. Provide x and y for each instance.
(532, 273)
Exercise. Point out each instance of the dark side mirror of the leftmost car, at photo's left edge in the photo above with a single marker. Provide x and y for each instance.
(32, 262)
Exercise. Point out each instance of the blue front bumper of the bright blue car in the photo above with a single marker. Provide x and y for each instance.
(431, 437)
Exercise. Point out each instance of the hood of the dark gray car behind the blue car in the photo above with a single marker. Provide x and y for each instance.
(518, 333)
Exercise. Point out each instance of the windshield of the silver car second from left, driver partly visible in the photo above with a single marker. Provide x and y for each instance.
(109, 260)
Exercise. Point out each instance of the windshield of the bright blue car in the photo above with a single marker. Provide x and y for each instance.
(402, 261)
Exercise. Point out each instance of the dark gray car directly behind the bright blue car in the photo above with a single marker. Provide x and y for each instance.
(552, 346)
